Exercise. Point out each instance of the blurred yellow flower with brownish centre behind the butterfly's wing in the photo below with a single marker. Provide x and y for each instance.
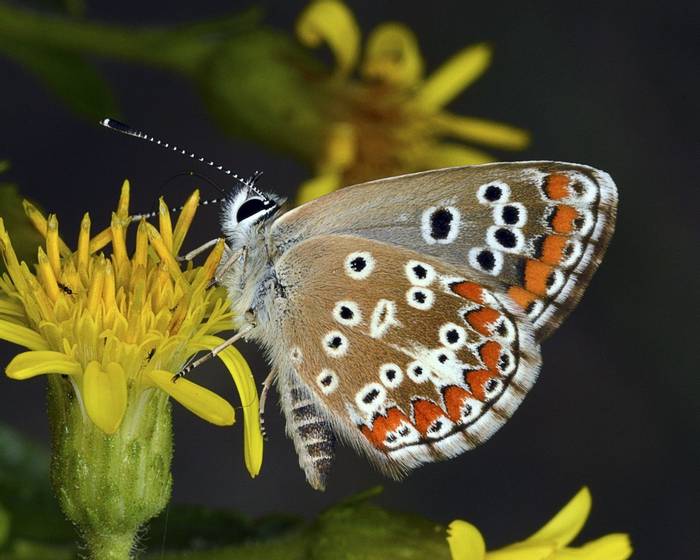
(391, 120)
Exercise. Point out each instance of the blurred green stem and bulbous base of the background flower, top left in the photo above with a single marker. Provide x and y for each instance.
(258, 82)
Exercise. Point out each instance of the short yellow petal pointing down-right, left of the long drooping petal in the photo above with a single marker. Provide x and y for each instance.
(203, 402)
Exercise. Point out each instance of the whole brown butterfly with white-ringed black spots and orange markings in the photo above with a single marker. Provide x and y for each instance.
(404, 316)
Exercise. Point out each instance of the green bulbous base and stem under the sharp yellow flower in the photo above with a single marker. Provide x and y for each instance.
(110, 485)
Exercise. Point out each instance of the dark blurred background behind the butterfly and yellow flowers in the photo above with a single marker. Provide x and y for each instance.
(613, 85)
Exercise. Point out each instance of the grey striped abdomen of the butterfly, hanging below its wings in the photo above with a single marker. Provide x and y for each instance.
(308, 429)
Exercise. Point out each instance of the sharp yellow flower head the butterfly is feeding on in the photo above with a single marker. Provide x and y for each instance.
(119, 326)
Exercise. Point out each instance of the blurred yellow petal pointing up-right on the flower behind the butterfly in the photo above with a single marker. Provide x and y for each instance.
(453, 76)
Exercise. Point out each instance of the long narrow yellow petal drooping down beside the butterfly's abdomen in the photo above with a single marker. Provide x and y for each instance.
(248, 393)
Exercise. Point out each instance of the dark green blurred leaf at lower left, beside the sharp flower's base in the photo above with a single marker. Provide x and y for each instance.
(25, 491)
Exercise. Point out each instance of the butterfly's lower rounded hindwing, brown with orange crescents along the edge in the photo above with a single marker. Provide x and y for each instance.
(406, 357)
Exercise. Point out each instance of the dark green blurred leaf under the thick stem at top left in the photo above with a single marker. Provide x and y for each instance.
(67, 75)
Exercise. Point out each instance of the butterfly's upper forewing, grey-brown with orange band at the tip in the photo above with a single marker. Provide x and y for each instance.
(534, 230)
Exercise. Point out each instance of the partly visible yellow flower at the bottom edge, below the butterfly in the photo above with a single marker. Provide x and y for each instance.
(549, 543)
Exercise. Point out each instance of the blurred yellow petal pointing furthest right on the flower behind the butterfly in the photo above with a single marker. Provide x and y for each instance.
(482, 131)
